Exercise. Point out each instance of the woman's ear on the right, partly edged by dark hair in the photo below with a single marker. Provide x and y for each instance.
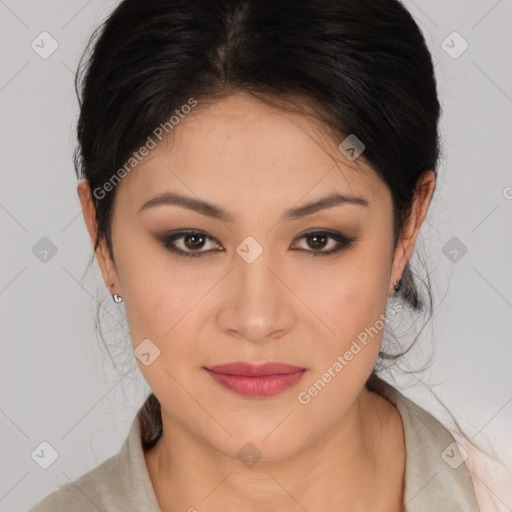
(407, 241)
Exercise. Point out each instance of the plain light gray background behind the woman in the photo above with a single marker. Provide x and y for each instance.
(58, 383)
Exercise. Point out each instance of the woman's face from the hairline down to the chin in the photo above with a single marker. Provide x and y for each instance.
(257, 285)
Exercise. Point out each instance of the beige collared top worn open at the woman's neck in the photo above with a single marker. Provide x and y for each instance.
(435, 476)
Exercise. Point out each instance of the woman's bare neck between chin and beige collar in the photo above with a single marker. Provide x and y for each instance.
(358, 464)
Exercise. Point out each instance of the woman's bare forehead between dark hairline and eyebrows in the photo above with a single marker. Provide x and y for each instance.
(240, 148)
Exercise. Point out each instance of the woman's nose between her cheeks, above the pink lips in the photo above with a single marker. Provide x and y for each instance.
(258, 300)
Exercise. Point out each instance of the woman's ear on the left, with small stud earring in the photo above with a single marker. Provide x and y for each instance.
(105, 262)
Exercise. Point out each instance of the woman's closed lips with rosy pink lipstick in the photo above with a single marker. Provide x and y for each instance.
(256, 381)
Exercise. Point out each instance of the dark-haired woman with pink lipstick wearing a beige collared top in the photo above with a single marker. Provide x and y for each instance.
(254, 177)
